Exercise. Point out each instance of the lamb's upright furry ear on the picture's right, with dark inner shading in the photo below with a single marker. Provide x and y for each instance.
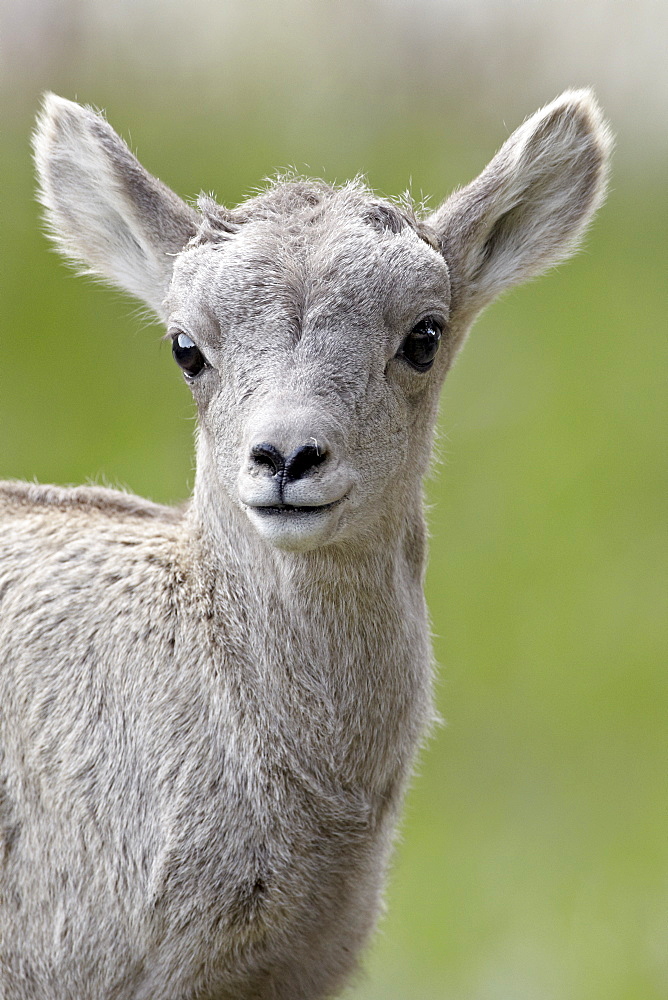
(528, 209)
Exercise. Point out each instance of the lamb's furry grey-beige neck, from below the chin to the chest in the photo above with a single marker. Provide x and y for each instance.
(336, 637)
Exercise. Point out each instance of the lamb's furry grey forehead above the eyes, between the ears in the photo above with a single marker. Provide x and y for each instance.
(343, 256)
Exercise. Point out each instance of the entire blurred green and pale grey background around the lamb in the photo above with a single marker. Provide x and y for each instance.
(533, 857)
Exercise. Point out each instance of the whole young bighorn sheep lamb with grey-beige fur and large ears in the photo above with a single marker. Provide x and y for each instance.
(208, 715)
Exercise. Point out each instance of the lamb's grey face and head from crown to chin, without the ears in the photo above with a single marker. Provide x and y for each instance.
(314, 346)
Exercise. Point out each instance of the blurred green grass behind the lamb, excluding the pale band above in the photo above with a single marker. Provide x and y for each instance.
(533, 863)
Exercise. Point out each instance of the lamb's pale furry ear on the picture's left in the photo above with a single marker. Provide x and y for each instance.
(102, 208)
